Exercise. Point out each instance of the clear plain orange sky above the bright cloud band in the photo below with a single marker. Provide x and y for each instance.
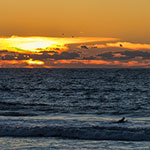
(125, 19)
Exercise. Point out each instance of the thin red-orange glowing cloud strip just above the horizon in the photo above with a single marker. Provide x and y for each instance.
(57, 63)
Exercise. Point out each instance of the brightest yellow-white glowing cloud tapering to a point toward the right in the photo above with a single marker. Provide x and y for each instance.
(38, 44)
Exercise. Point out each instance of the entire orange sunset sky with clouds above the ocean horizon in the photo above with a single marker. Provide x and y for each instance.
(74, 33)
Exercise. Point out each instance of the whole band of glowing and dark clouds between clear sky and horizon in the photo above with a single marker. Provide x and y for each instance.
(77, 52)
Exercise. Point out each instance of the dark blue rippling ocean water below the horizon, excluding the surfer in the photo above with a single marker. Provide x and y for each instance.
(74, 109)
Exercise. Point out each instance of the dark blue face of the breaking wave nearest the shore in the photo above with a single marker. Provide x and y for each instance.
(82, 133)
